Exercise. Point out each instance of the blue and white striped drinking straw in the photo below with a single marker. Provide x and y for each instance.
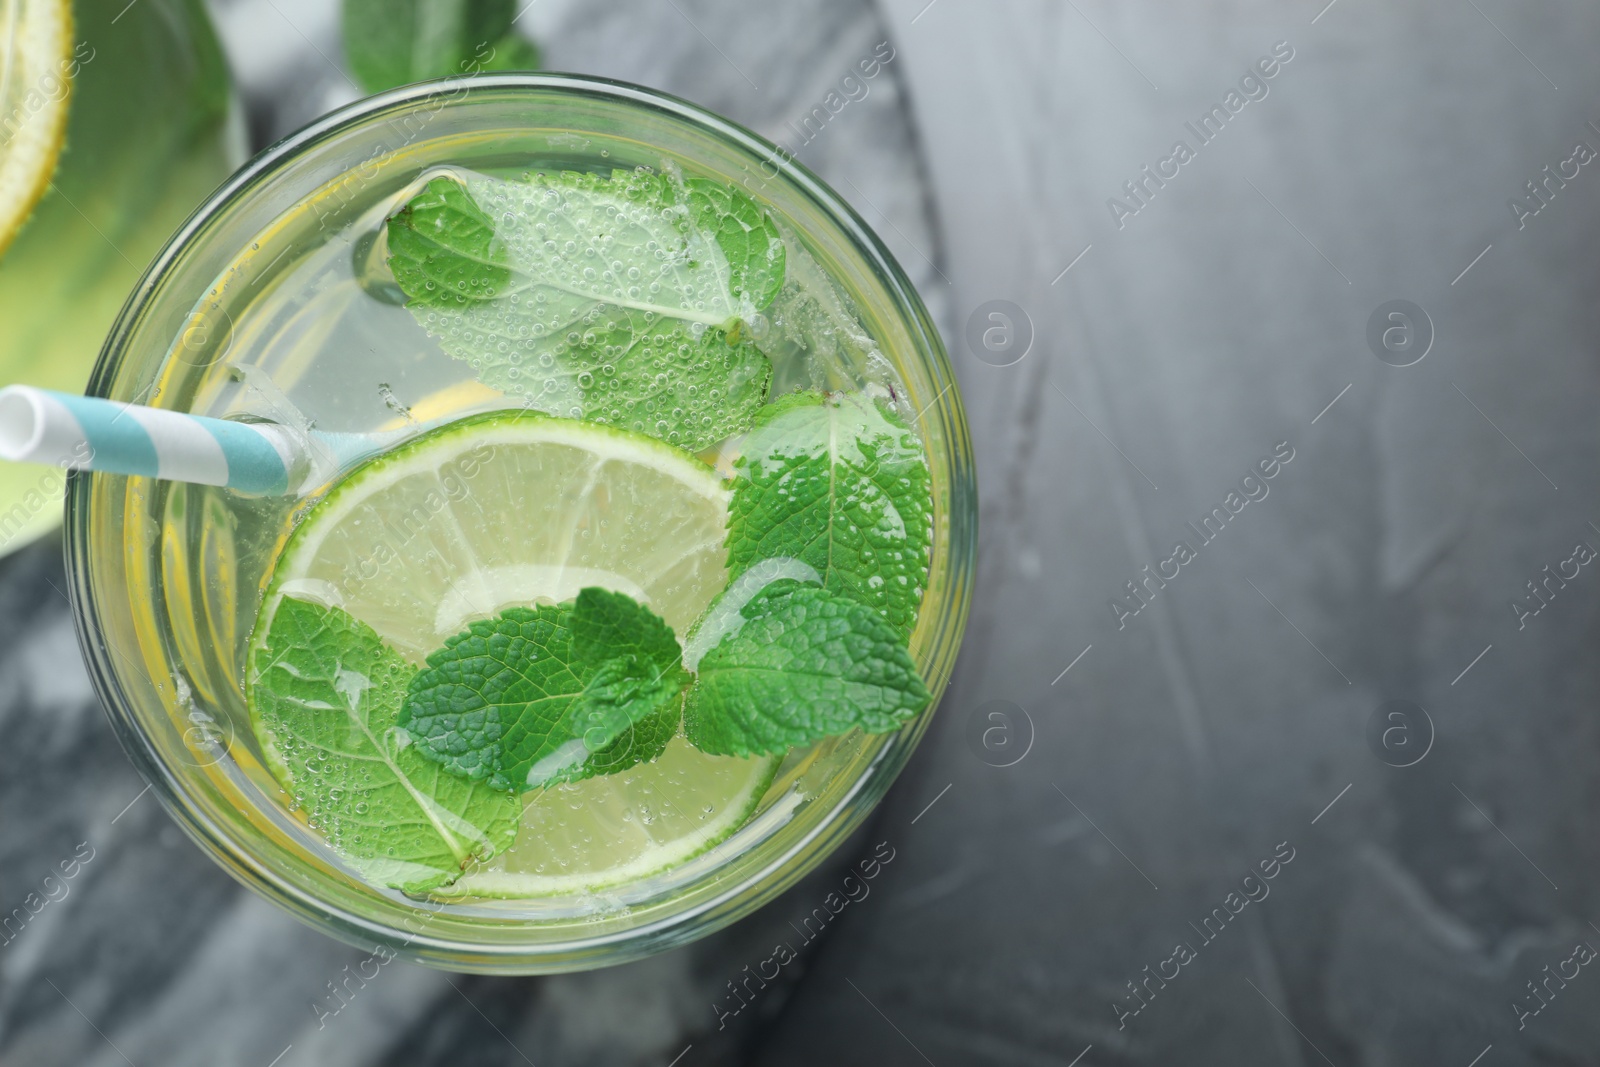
(90, 434)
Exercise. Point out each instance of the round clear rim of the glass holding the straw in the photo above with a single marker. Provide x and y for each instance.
(578, 953)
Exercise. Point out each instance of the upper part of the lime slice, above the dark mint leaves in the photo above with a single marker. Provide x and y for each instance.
(510, 510)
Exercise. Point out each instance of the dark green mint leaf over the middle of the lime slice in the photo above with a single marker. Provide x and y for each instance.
(551, 693)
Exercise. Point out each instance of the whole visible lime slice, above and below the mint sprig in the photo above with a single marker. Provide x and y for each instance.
(513, 510)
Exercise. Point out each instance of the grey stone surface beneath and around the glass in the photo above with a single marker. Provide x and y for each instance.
(1318, 786)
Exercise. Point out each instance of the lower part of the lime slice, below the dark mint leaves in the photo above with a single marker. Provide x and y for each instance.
(609, 831)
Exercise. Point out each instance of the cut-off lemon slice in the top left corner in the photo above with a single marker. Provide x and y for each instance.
(36, 50)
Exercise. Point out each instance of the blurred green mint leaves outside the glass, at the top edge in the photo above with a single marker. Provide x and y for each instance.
(399, 42)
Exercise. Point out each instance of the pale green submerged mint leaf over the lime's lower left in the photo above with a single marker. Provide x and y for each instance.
(324, 698)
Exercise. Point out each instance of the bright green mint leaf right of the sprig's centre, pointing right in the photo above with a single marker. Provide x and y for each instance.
(807, 665)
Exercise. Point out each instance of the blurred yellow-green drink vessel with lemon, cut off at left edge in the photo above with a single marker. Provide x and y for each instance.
(116, 122)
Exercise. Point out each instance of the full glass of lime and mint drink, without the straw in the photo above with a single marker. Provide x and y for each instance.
(650, 572)
